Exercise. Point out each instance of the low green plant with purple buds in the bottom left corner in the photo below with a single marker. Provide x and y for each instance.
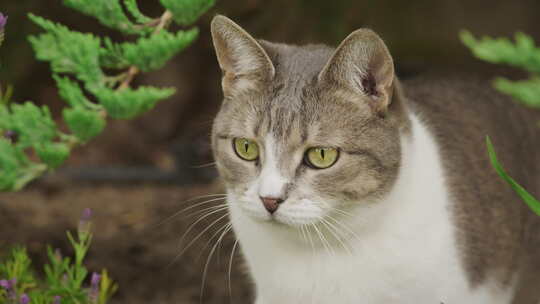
(65, 277)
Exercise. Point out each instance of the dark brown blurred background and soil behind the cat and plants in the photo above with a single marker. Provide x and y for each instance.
(139, 172)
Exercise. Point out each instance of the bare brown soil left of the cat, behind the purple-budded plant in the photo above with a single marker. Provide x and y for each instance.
(131, 240)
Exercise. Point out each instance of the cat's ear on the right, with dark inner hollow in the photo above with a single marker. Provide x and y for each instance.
(362, 63)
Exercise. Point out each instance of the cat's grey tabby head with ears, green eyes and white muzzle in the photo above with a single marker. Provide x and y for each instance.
(305, 132)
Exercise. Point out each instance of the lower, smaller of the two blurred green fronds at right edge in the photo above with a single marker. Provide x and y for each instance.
(526, 91)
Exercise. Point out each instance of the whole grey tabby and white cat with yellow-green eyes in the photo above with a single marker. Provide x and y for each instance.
(346, 185)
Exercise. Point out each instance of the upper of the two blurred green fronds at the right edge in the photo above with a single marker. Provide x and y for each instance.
(521, 54)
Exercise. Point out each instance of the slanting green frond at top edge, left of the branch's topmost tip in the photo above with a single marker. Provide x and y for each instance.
(107, 12)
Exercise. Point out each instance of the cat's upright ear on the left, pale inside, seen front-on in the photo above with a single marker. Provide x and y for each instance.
(242, 59)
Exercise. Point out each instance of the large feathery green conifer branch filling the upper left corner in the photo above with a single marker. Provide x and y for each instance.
(83, 66)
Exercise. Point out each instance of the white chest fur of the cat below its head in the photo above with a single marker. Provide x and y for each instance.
(405, 251)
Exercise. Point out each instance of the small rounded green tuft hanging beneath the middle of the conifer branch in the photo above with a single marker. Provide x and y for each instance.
(85, 124)
